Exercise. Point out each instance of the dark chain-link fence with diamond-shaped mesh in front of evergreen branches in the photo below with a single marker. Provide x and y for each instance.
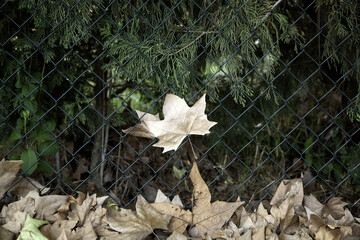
(280, 82)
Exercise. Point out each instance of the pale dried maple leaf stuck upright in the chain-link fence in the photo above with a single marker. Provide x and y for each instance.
(180, 120)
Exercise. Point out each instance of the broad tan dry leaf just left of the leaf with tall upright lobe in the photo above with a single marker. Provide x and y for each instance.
(139, 224)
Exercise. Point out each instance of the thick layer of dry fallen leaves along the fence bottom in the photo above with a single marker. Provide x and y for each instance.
(290, 215)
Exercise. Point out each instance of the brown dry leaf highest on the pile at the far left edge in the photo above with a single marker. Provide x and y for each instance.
(8, 171)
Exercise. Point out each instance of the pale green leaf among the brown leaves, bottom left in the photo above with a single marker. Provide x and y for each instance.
(31, 231)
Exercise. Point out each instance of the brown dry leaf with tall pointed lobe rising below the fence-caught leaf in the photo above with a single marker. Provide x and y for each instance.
(207, 217)
